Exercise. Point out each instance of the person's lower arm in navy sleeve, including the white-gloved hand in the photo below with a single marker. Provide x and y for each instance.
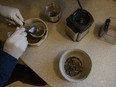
(13, 48)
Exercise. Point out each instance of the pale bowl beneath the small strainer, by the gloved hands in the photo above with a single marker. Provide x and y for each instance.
(33, 41)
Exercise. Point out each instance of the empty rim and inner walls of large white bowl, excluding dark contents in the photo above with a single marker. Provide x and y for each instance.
(85, 61)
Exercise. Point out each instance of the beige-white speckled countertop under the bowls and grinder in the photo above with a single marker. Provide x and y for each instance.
(44, 59)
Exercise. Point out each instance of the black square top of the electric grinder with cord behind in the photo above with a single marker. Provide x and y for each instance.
(80, 20)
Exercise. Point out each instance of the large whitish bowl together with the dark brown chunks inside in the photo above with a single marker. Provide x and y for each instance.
(77, 69)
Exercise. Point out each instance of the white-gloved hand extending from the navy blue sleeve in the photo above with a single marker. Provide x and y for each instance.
(16, 44)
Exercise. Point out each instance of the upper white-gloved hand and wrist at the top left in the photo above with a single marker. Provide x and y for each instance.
(12, 13)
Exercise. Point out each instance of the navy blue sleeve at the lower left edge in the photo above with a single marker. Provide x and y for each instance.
(7, 64)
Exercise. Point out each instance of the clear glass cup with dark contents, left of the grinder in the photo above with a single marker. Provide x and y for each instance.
(53, 12)
